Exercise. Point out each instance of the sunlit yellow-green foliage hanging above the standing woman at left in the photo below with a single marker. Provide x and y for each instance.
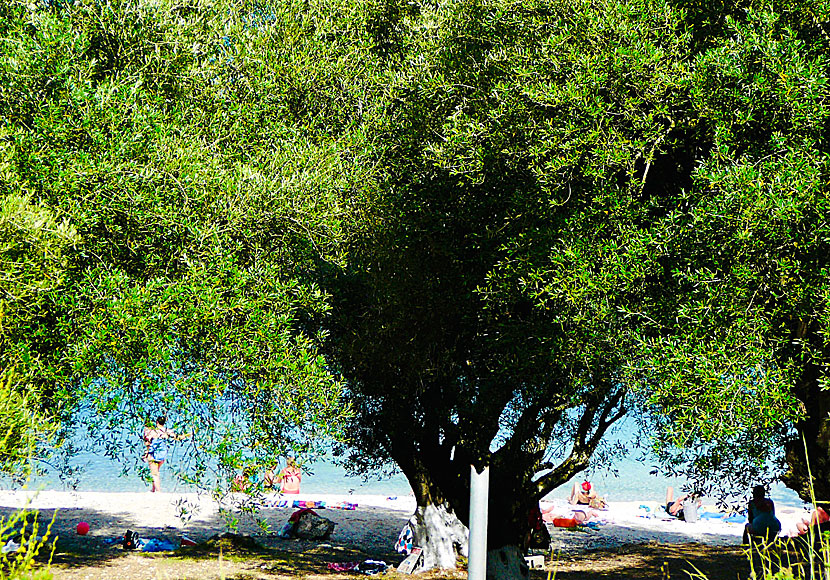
(193, 149)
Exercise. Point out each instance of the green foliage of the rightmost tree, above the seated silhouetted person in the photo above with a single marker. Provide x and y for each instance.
(748, 248)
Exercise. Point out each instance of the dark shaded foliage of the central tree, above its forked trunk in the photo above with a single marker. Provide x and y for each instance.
(506, 151)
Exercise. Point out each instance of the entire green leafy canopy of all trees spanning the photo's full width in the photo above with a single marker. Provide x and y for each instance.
(504, 223)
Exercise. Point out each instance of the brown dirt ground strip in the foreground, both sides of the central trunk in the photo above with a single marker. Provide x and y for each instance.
(286, 559)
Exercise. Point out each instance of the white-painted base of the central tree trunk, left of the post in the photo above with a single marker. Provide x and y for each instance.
(440, 534)
